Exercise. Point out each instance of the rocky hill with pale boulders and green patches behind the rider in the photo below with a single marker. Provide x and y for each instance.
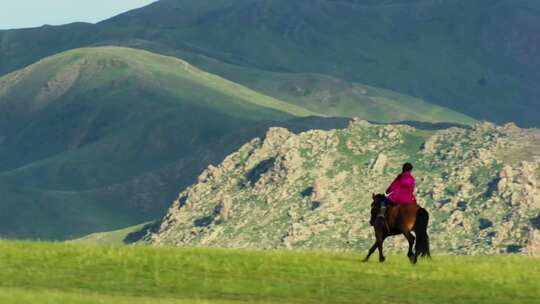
(313, 190)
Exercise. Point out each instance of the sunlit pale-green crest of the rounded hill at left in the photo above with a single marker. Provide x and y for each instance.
(93, 65)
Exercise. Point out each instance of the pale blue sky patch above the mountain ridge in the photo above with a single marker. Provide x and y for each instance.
(34, 13)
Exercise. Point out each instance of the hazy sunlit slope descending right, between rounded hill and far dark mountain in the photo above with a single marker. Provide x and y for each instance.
(328, 95)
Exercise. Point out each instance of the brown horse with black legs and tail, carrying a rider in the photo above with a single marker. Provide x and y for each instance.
(401, 219)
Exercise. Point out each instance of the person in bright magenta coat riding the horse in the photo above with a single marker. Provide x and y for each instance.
(401, 191)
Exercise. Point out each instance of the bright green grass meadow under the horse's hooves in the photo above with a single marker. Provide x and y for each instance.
(66, 273)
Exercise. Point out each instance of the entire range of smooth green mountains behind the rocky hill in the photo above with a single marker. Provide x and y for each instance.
(95, 137)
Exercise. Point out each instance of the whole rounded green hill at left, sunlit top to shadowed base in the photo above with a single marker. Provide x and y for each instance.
(98, 138)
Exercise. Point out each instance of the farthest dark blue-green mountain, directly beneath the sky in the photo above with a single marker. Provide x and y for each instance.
(480, 58)
